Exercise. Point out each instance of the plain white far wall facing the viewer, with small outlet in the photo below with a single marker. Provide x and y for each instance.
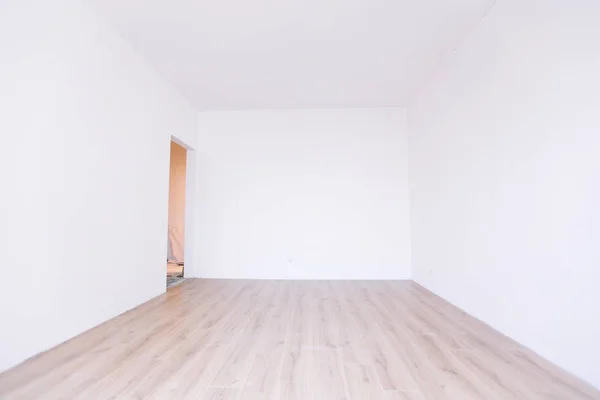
(305, 194)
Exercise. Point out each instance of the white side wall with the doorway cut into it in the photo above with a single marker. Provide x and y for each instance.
(85, 128)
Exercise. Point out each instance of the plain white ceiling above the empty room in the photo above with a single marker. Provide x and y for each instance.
(250, 54)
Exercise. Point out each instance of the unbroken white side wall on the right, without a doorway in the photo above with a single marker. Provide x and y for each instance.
(505, 178)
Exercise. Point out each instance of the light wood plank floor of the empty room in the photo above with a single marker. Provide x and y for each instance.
(213, 339)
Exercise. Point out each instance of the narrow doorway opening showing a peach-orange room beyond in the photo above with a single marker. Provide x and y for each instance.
(176, 221)
